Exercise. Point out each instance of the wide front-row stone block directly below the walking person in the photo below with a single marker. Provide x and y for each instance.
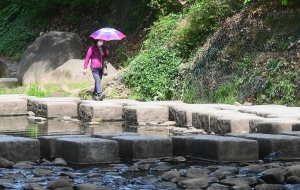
(87, 150)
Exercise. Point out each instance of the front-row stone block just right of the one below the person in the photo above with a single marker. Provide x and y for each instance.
(143, 147)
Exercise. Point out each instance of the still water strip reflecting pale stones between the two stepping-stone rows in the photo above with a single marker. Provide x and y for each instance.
(33, 128)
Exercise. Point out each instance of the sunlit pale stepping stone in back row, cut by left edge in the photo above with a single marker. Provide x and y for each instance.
(12, 106)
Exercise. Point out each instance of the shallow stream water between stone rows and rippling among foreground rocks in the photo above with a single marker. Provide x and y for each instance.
(109, 176)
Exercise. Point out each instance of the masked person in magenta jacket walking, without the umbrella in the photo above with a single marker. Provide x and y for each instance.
(96, 53)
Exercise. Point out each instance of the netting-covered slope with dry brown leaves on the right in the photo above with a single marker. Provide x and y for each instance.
(254, 56)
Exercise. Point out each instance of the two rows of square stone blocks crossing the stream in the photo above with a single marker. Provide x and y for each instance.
(216, 132)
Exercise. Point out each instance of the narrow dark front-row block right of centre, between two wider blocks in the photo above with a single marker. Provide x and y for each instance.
(183, 145)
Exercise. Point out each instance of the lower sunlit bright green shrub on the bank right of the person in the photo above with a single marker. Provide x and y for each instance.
(152, 73)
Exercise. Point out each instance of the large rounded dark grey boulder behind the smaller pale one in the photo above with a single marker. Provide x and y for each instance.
(47, 52)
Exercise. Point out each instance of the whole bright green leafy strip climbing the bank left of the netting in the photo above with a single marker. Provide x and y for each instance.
(155, 73)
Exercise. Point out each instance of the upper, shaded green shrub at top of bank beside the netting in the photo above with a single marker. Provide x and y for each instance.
(202, 19)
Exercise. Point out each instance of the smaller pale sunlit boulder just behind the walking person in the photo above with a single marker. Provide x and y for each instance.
(71, 72)
